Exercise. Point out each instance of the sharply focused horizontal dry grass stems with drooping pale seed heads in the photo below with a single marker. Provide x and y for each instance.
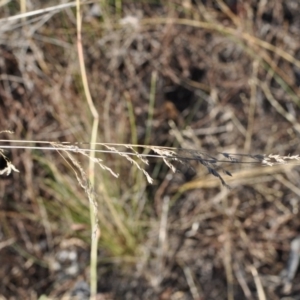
(213, 164)
